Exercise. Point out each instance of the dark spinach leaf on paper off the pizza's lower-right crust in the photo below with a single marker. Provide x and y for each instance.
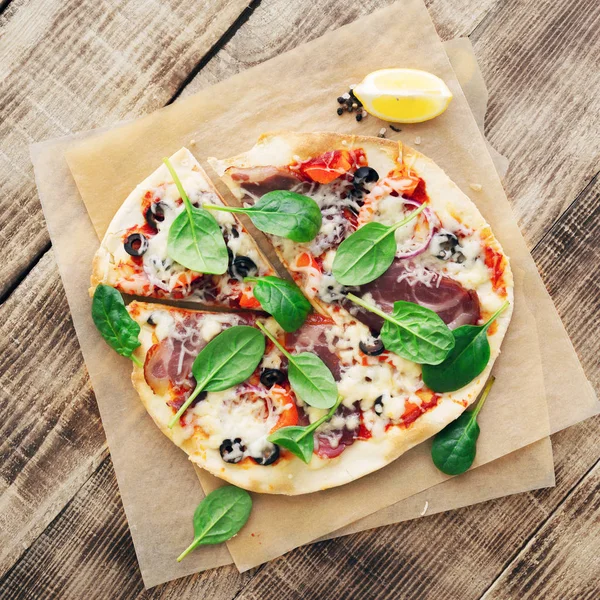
(453, 449)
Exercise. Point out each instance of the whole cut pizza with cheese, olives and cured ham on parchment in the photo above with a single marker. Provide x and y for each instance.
(446, 259)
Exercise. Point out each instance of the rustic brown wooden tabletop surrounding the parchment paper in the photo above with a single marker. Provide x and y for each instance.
(71, 65)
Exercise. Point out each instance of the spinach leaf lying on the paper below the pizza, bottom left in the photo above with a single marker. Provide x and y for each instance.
(219, 517)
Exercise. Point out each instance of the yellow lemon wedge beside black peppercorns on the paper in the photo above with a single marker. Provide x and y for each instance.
(403, 95)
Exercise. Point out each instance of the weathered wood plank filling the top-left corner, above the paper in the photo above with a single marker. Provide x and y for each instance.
(74, 65)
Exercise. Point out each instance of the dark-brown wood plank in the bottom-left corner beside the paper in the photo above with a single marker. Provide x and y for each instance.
(66, 559)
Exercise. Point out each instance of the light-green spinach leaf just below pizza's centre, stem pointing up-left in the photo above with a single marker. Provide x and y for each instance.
(309, 376)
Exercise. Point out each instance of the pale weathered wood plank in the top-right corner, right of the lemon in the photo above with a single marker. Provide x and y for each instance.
(540, 62)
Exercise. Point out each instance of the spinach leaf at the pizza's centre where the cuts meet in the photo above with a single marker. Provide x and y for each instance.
(282, 299)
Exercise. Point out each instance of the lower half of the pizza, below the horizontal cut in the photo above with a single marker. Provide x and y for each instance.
(385, 410)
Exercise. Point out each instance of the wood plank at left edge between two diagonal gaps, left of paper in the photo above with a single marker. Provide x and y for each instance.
(51, 438)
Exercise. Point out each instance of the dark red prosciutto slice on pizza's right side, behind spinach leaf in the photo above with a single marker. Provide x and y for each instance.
(452, 302)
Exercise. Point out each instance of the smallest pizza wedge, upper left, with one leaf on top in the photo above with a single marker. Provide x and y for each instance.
(133, 254)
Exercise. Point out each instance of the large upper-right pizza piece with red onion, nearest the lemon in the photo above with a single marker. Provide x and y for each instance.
(446, 259)
